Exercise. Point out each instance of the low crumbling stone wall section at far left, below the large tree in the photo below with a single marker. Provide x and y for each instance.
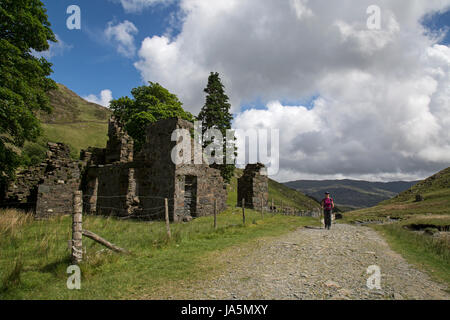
(46, 189)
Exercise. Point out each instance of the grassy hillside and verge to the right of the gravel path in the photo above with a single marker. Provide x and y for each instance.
(421, 233)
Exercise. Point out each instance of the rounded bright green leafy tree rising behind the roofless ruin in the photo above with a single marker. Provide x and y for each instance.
(149, 104)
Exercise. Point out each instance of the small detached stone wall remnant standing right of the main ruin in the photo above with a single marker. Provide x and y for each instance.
(254, 186)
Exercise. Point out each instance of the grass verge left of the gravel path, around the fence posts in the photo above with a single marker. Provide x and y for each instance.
(34, 254)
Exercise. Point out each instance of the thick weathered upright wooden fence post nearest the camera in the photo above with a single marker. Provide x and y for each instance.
(77, 228)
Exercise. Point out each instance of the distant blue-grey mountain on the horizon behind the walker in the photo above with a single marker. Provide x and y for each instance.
(351, 194)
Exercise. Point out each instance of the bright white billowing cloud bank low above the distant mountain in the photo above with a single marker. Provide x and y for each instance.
(366, 128)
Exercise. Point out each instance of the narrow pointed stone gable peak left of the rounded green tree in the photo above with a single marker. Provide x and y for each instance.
(120, 145)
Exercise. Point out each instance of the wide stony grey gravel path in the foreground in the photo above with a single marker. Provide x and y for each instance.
(316, 264)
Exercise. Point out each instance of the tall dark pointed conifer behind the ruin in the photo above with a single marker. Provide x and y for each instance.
(216, 114)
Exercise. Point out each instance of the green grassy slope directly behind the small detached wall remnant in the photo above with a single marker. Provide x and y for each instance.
(278, 192)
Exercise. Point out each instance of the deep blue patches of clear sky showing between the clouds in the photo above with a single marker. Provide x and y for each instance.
(89, 63)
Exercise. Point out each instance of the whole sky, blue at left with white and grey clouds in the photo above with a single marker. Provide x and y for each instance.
(377, 99)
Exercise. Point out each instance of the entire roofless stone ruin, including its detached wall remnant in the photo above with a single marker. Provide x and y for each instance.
(117, 181)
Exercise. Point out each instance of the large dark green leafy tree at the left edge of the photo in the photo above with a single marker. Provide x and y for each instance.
(24, 79)
